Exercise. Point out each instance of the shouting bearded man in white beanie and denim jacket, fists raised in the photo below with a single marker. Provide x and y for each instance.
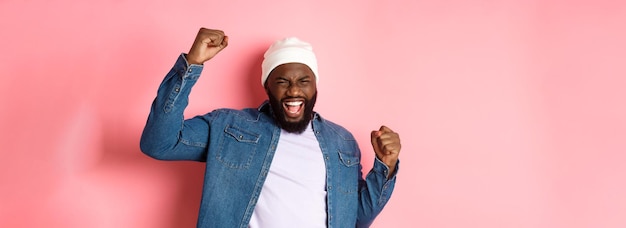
(280, 165)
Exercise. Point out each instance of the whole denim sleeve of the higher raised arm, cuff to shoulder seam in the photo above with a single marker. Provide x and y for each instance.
(166, 135)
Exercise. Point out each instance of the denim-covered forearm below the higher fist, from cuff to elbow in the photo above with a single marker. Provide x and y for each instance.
(165, 123)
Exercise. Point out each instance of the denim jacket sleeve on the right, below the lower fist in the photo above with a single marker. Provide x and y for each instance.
(374, 192)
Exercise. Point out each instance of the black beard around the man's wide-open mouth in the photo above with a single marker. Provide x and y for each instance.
(292, 127)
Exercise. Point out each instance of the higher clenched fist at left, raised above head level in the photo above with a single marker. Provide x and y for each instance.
(207, 44)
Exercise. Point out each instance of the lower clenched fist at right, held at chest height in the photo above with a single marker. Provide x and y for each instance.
(386, 144)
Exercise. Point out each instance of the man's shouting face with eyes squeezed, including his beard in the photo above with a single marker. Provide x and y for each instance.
(292, 91)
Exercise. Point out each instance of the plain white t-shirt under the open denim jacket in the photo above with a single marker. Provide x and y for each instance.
(294, 193)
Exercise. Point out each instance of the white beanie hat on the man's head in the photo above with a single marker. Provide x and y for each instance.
(288, 50)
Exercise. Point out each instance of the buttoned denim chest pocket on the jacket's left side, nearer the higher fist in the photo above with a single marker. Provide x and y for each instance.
(237, 147)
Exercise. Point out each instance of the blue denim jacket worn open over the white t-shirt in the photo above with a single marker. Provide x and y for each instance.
(238, 147)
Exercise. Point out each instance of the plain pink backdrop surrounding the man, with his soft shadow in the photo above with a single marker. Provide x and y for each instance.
(511, 113)
